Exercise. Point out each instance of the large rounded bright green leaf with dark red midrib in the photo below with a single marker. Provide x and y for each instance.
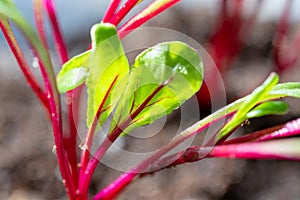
(161, 79)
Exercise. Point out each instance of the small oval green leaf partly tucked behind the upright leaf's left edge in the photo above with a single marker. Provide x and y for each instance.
(73, 72)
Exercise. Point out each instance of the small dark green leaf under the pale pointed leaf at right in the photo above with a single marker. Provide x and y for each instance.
(268, 108)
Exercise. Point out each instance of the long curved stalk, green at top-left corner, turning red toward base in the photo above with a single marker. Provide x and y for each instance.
(10, 11)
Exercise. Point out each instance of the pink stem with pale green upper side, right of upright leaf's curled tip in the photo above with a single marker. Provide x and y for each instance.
(151, 11)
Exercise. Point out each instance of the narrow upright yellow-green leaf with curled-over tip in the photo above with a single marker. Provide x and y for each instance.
(108, 72)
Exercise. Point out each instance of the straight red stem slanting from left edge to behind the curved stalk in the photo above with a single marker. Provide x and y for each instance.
(16, 50)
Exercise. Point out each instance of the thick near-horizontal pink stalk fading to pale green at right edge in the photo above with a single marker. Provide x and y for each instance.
(249, 150)
